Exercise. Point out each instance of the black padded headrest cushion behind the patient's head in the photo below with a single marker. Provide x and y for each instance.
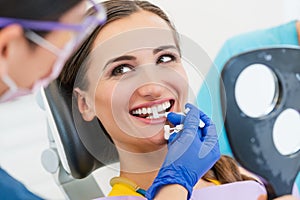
(82, 158)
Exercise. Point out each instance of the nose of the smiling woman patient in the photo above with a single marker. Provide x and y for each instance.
(151, 91)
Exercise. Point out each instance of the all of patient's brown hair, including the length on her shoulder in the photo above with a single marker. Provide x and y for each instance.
(226, 169)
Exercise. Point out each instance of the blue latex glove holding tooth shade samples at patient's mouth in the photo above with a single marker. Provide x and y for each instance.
(192, 152)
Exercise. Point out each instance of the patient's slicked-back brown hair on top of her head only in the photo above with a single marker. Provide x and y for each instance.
(115, 9)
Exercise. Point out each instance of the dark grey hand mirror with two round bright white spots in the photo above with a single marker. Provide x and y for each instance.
(261, 107)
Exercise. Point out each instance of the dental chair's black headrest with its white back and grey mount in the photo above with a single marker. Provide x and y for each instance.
(70, 158)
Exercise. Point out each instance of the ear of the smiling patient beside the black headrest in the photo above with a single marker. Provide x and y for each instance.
(84, 105)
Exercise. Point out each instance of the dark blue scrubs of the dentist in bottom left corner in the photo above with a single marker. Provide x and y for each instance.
(10, 189)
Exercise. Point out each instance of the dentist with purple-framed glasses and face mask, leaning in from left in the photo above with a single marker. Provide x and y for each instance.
(35, 39)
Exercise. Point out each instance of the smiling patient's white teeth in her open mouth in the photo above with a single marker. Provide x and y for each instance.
(154, 110)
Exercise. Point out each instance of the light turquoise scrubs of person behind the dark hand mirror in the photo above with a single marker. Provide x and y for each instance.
(283, 35)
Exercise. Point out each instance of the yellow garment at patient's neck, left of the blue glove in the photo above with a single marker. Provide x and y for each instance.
(123, 187)
